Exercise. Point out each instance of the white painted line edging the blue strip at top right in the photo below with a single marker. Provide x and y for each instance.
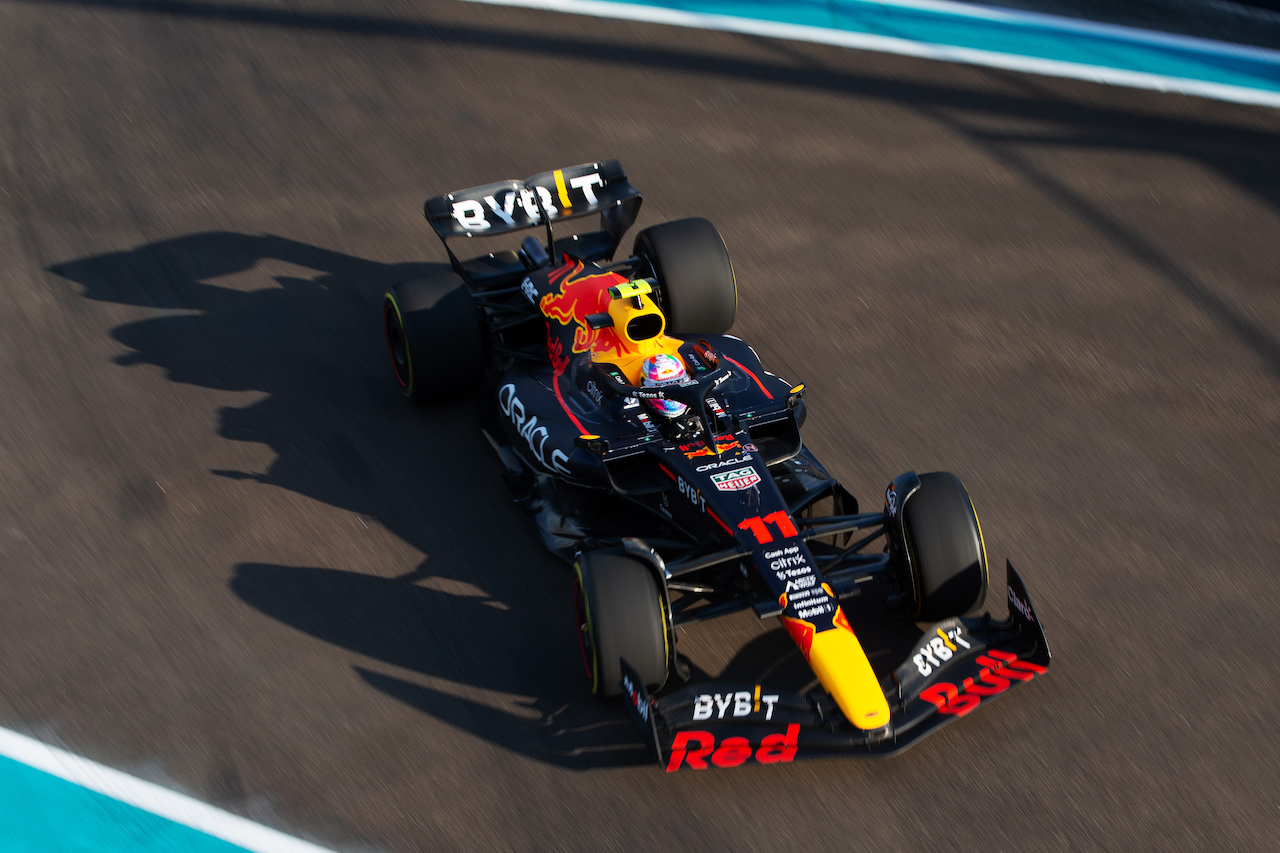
(902, 47)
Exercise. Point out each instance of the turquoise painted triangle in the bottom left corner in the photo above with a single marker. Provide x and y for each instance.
(43, 814)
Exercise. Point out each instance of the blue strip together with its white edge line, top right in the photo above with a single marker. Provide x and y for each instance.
(975, 35)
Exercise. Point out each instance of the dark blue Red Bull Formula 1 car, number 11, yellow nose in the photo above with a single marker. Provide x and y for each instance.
(693, 498)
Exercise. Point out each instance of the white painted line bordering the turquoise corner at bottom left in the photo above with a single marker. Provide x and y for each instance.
(150, 797)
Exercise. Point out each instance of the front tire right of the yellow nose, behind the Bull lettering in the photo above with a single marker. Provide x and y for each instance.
(944, 541)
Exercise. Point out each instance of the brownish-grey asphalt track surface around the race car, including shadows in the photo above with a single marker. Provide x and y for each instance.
(235, 562)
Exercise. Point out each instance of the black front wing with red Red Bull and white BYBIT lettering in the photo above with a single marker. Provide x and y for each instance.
(958, 665)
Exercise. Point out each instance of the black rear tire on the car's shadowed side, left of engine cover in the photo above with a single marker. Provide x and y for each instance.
(435, 337)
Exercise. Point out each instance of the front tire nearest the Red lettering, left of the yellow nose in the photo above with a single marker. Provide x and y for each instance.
(621, 613)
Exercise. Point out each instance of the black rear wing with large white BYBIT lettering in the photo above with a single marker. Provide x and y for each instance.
(565, 194)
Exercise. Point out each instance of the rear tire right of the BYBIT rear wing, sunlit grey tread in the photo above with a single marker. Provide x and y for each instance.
(696, 290)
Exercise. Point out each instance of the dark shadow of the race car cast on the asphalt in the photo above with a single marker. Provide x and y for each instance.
(479, 635)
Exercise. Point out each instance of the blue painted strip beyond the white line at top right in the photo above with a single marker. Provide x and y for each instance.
(1017, 34)
